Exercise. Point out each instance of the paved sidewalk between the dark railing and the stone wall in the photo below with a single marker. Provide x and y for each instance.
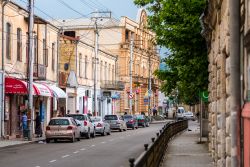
(184, 150)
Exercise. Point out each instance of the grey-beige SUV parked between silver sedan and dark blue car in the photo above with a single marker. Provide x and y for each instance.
(116, 122)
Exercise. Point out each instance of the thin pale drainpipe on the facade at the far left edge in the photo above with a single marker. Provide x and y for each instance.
(3, 71)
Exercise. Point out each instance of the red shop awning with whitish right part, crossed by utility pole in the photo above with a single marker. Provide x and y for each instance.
(16, 86)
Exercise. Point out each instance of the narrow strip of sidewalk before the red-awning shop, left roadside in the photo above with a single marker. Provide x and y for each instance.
(15, 142)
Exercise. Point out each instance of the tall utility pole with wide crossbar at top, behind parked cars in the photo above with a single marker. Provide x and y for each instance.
(96, 17)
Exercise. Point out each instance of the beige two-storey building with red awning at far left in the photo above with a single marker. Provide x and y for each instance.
(16, 69)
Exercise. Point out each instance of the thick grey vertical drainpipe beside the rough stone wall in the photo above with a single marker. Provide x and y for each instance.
(234, 30)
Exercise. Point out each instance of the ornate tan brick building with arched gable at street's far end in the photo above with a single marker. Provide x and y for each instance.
(115, 37)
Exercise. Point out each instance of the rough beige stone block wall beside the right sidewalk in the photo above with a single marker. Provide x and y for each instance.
(219, 95)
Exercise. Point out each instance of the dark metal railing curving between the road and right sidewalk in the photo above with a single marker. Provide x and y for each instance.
(153, 154)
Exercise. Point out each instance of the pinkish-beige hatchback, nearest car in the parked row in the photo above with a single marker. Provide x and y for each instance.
(62, 128)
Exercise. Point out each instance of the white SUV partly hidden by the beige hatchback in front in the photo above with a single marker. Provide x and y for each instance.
(89, 129)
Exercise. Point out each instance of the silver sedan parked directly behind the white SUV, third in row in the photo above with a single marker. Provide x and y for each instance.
(101, 127)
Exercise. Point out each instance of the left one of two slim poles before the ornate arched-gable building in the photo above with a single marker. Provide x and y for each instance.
(131, 74)
